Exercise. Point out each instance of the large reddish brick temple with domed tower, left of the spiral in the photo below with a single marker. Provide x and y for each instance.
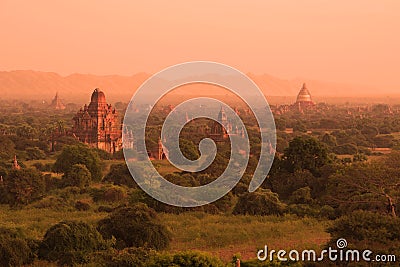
(98, 124)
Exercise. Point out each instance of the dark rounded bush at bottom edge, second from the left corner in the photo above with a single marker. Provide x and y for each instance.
(69, 242)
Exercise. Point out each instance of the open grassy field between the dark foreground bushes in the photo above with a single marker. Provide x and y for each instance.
(220, 235)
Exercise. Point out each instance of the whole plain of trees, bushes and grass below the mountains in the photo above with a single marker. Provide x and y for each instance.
(71, 204)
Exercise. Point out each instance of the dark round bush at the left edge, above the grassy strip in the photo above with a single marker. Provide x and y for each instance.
(24, 186)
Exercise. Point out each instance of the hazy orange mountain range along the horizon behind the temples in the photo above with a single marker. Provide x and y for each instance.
(78, 87)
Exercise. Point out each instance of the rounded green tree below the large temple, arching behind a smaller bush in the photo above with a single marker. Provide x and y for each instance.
(79, 154)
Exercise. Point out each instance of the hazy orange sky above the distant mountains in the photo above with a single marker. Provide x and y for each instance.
(342, 41)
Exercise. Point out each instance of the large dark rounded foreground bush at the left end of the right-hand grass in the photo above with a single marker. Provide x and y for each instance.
(135, 226)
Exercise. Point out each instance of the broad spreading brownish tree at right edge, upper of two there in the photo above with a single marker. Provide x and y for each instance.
(367, 186)
